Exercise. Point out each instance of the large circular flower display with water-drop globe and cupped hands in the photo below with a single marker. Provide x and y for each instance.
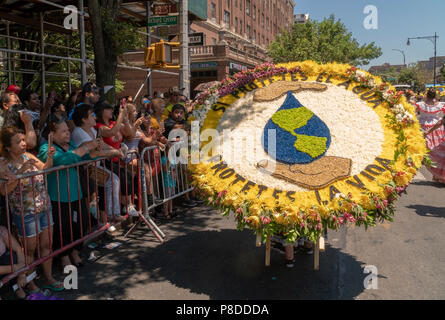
(304, 147)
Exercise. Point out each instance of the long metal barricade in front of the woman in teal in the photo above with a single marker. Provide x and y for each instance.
(85, 172)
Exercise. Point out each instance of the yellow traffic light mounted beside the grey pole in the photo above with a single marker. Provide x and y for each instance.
(159, 55)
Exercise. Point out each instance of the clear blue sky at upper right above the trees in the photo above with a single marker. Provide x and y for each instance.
(397, 21)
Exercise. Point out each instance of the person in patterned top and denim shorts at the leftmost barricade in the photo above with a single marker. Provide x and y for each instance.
(28, 201)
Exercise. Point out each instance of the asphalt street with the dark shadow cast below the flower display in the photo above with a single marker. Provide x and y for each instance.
(205, 257)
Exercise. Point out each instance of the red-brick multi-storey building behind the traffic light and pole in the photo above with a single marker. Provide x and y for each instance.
(236, 35)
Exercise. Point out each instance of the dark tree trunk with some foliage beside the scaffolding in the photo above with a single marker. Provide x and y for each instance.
(110, 38)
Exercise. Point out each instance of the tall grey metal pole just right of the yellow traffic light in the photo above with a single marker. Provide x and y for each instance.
(184, 71)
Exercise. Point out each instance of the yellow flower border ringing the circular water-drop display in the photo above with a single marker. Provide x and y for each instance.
(313, 211)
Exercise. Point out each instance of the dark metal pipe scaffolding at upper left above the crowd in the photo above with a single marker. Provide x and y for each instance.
(84, 67)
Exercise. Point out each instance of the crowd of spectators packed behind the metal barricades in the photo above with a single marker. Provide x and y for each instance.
(46, 212)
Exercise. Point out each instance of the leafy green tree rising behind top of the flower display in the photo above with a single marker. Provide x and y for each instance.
(323, 42)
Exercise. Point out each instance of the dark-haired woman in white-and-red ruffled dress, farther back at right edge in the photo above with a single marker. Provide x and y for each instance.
(429, 113)
